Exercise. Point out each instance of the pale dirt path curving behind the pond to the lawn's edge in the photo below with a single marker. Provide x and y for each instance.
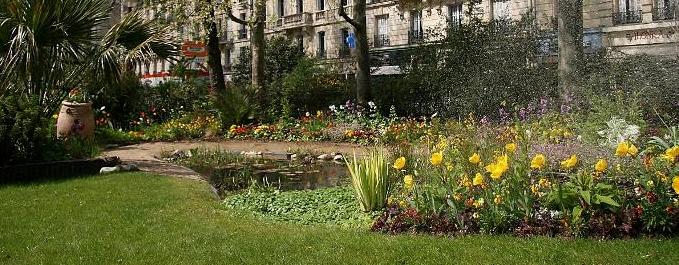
(147, 155)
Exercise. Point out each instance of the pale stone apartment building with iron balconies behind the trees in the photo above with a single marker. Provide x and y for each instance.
(627, 26)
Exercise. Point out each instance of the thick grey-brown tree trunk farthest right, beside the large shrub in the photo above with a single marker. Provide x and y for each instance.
(569, 19)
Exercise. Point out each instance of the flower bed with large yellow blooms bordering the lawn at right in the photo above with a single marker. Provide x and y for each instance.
(502, 183)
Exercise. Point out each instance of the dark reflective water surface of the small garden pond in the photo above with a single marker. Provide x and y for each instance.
(277, 174)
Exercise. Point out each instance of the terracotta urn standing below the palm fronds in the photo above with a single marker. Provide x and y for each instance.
(75, 120)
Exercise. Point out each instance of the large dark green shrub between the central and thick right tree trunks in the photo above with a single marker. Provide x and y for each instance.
(476, 68)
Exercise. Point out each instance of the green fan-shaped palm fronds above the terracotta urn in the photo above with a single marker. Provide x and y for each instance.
(48, 47)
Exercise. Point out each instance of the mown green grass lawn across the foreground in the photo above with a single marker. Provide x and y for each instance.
(136, 218)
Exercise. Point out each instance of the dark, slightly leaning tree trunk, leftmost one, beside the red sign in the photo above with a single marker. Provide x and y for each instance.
(214, 59)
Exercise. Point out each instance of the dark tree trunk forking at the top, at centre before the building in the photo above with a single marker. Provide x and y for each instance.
(358, 22)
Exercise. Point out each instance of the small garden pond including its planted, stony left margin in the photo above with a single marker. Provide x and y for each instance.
(228, 172)
